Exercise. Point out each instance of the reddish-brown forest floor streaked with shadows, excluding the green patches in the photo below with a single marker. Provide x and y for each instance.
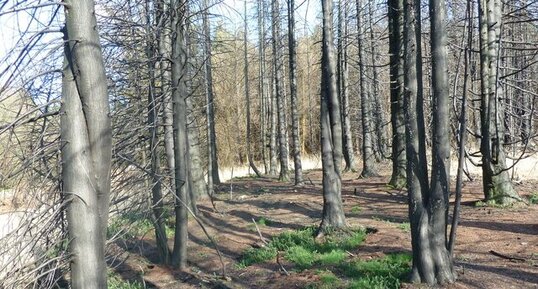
(495, 247)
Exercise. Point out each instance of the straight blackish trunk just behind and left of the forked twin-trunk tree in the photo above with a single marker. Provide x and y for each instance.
(396, 24)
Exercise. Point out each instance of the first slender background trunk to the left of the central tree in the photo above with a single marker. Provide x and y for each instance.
(296, 143)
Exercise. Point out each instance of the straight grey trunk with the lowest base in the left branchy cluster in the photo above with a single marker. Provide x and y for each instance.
(181, 150)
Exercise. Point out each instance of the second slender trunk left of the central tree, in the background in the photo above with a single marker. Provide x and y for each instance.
(279, 90)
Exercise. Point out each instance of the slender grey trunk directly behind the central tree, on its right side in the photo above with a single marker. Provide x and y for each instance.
(343, 73)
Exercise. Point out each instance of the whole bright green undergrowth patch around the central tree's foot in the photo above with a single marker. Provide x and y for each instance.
(330, 256)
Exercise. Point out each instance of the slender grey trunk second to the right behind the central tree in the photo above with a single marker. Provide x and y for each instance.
(368, 156)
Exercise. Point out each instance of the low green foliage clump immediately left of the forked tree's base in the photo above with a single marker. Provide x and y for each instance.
(382, 273)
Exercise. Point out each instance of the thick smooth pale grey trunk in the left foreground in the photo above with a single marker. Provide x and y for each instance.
(87, 145)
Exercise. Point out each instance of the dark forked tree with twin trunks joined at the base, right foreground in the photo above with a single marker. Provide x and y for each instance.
(428, 203)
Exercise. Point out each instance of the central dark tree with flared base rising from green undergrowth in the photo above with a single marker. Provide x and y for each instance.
(331, 130)
